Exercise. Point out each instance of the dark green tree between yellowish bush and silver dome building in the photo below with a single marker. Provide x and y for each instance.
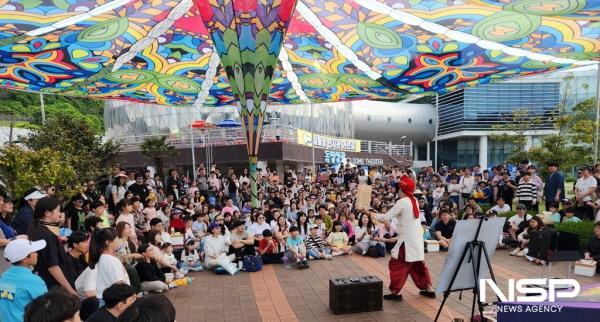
(77, 143)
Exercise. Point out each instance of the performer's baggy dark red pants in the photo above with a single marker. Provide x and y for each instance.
(400, 269)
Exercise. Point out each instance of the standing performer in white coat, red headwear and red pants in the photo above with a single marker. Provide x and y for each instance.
(408, 255)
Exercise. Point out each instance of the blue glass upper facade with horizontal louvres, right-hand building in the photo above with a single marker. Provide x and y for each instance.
(481, 107)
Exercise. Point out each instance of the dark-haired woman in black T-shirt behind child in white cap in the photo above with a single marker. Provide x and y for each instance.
(53, 265)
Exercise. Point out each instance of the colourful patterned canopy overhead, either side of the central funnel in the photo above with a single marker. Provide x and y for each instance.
(159, 51)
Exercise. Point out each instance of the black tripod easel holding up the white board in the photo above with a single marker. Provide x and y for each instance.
(474, 249)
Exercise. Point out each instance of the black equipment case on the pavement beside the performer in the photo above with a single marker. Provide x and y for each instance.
(355, 294)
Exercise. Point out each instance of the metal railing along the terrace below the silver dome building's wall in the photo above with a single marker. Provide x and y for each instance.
(236, 136)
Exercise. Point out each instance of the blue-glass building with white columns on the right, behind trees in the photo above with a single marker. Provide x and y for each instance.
(467, 117)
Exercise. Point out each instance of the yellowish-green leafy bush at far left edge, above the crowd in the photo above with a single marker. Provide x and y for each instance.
(21, 169)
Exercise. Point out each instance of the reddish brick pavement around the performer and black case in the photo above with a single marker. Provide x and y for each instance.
(280, 294)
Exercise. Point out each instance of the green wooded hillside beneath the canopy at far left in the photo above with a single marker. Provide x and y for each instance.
(26, 106)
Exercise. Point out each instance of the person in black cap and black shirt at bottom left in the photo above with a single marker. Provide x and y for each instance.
(117, 298)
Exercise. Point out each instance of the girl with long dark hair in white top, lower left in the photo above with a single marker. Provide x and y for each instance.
(109, 269)
